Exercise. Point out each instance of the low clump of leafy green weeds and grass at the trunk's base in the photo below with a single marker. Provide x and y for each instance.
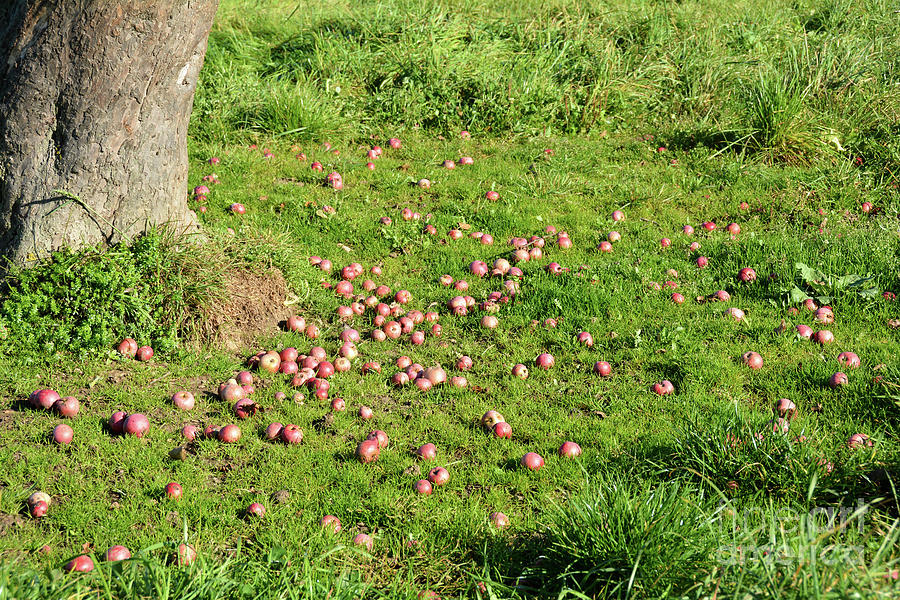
(84, 303)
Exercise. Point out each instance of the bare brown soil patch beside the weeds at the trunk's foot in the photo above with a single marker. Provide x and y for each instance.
(254, 307)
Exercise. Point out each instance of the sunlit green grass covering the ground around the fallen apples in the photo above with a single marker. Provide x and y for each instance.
(676, 113)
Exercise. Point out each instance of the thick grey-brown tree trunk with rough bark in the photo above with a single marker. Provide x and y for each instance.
(95, 97)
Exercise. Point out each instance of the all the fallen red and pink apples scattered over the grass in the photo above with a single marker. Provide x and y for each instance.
(391, 319)
